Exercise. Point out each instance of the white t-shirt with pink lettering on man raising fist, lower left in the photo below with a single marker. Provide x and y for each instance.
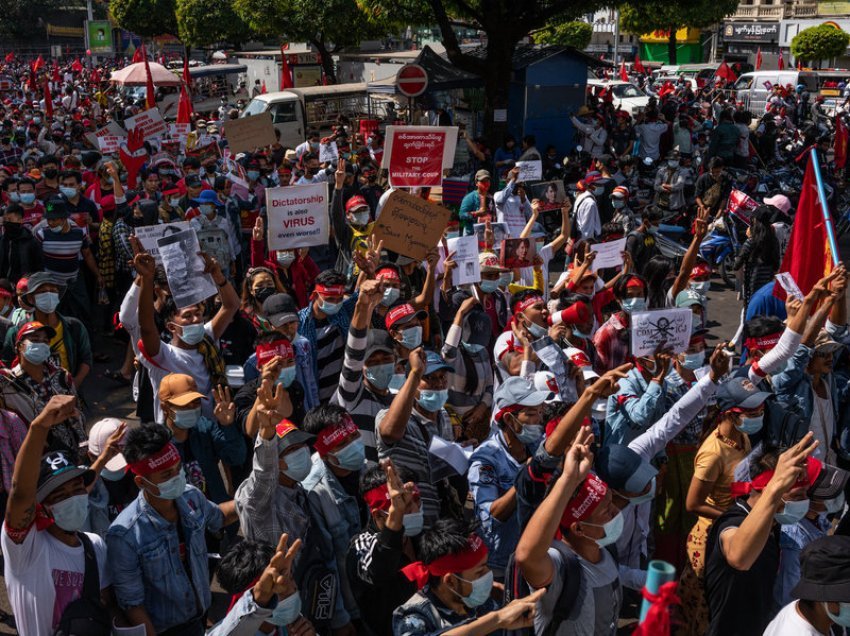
(43, 576)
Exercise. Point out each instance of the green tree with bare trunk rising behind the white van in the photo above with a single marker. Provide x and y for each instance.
(329, 25)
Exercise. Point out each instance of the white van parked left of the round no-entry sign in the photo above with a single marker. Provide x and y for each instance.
(297, 110)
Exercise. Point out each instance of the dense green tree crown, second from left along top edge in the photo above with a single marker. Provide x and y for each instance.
(209, 22)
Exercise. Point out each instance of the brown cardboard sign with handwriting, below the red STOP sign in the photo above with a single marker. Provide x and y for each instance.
(409, 225)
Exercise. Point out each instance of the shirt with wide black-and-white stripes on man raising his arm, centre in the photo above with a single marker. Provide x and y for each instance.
(353, 395)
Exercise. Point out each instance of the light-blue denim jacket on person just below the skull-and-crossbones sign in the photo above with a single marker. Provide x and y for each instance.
(634, 408)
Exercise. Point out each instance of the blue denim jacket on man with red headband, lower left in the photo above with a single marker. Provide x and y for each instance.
(144, 559)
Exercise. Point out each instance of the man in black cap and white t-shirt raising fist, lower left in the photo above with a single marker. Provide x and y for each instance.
(51, 567)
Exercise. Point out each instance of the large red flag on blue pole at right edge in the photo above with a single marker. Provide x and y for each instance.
(807, 257)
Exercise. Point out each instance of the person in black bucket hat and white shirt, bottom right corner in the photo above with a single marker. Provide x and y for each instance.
(823, 590)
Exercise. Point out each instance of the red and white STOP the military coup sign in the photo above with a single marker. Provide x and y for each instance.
(417, 155)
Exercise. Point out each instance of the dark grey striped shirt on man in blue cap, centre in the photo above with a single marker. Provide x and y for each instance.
(411, 451)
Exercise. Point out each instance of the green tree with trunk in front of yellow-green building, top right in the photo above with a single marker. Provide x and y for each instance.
(646, 16)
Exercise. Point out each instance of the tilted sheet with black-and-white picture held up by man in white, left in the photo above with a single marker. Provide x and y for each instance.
(184, 269)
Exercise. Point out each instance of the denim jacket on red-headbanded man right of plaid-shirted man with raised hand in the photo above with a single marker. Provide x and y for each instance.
(337, 516)
